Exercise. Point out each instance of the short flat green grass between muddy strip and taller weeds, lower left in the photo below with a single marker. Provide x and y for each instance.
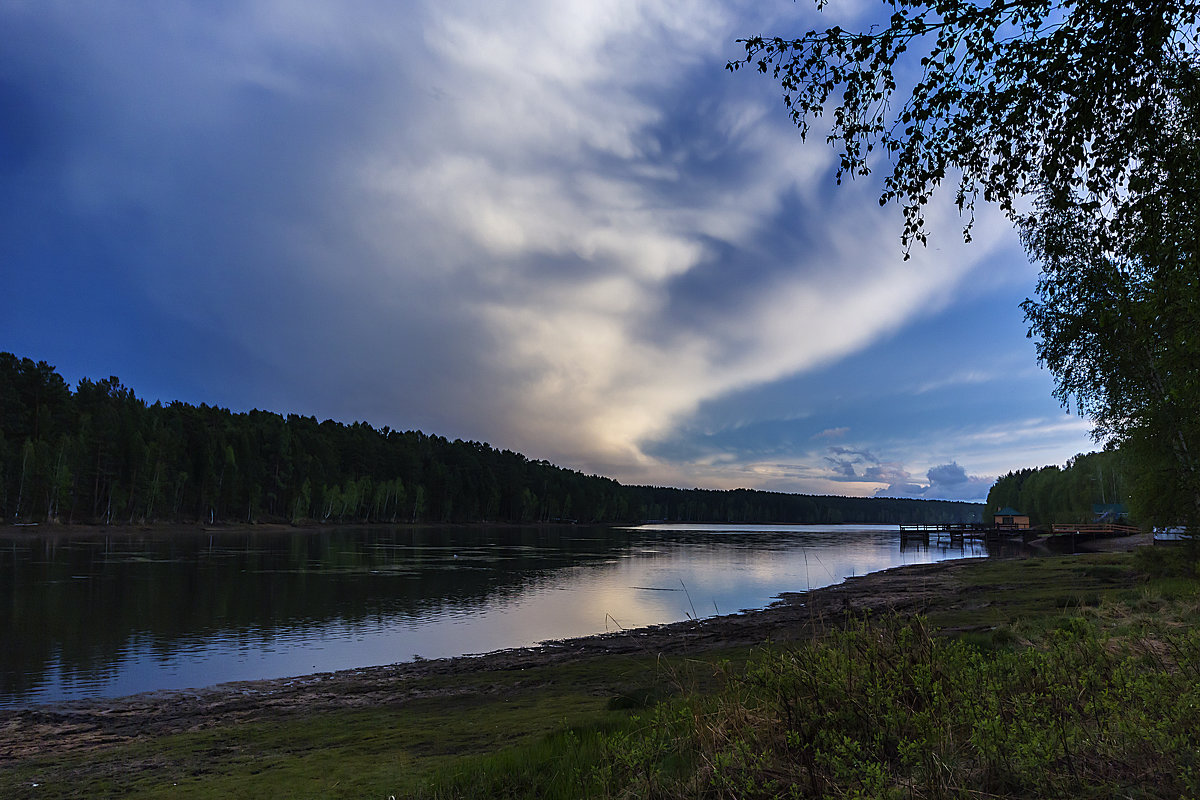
(371, 753)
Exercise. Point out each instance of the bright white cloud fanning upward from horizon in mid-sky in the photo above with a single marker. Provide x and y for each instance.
(561, 203)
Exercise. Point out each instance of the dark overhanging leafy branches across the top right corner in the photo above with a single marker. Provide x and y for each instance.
(1009, 98)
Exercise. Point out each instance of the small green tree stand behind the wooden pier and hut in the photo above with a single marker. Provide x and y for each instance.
(1063, 495)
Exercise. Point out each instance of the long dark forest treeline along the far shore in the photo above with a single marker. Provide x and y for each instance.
(101, 455)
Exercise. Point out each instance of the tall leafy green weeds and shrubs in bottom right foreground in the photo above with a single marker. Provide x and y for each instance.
(887, 709)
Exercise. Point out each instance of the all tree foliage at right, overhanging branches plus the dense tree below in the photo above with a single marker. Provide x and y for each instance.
(1081, 119)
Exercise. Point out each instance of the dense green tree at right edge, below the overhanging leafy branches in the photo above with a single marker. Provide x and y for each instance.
(1118, 317)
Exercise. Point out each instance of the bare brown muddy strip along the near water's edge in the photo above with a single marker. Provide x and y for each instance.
(88, 725)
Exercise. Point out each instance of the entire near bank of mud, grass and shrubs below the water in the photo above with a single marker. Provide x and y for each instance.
(1089, 666)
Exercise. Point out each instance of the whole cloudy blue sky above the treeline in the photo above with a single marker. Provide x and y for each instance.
(561, 228)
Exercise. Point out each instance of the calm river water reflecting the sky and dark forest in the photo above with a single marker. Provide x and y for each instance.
(110, 616)
